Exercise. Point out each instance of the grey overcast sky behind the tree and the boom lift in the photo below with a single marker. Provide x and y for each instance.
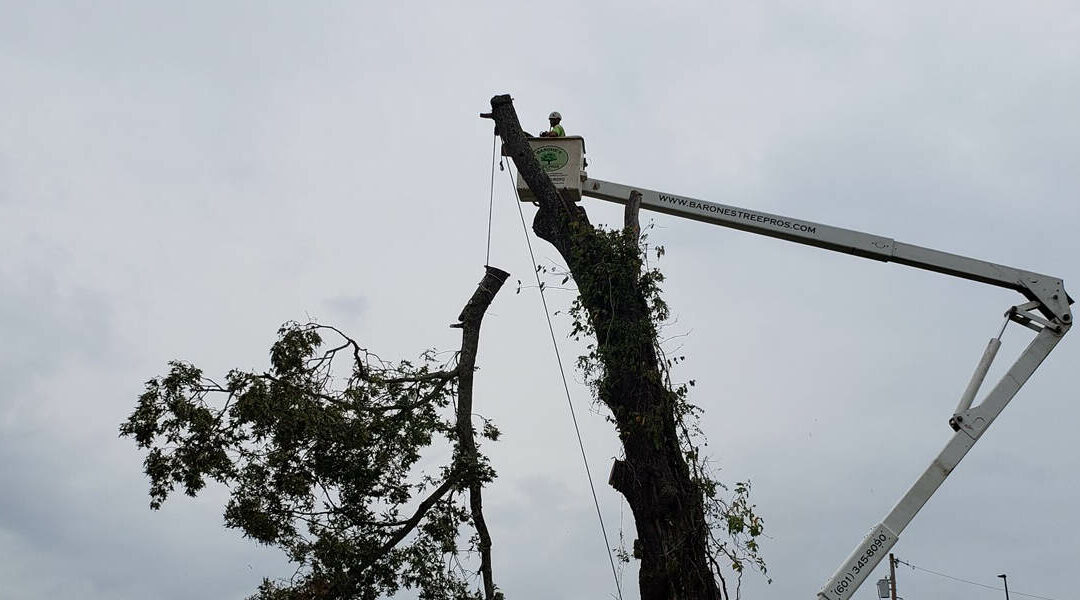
(178, 183)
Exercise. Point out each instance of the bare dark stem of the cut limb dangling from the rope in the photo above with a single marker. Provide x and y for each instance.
(468, 457)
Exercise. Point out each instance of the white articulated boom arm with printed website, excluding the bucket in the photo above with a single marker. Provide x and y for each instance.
(1046, 297)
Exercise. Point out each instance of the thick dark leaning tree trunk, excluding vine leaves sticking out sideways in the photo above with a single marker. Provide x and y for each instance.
(654, 475)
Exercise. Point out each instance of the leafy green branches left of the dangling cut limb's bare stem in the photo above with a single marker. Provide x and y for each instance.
(326, 462)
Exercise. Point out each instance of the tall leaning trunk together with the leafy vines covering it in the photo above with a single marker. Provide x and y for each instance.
(688, 534)
